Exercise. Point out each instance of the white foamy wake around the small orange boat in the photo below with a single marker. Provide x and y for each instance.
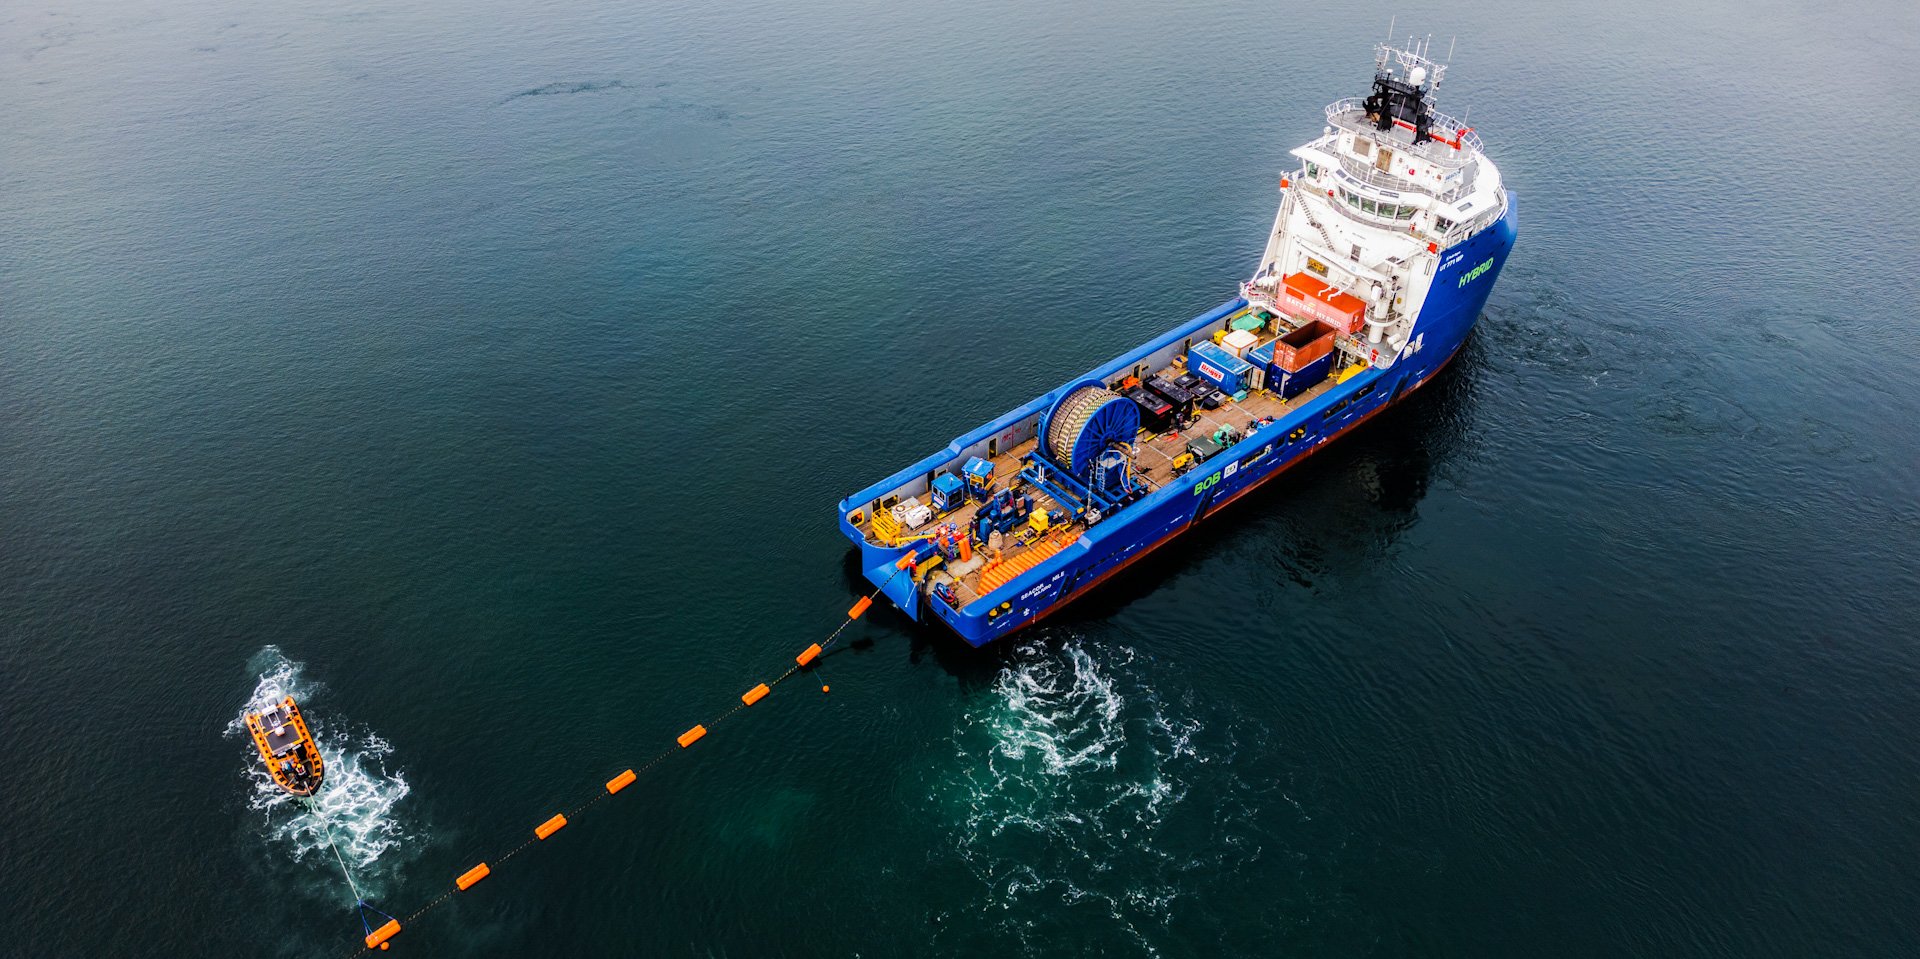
(358, 802)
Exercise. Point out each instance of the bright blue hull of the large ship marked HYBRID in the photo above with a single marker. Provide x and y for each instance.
(1454, 303)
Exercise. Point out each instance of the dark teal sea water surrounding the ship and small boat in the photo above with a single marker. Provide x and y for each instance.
(487, 376)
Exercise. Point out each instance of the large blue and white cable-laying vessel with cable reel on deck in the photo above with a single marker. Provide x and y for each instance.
(1391, 234)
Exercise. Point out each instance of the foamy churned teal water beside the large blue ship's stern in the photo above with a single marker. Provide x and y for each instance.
(1068, 800)
